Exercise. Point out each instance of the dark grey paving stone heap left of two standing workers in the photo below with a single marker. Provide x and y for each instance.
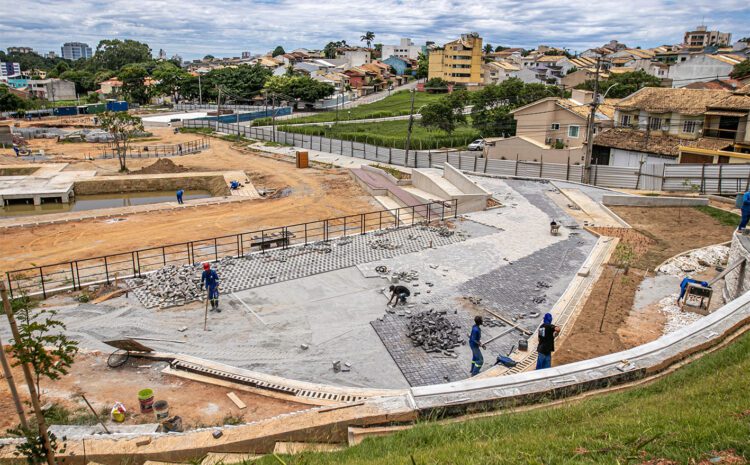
(434, 332)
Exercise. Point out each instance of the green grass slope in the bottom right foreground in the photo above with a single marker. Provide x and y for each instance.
(681, 417)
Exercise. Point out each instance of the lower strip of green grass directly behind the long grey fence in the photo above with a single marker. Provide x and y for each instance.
(391, 134)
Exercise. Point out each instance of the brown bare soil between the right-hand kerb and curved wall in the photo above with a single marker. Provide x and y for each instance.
(607, 323)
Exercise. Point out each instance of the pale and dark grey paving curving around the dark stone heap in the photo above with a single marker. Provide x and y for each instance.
(519, 276)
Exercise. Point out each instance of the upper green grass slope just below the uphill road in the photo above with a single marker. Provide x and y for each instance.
(396, 105)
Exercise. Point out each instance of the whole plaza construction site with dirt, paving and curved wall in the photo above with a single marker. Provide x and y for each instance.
(304, 352)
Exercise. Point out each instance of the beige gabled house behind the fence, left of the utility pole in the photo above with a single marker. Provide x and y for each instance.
(552, 130)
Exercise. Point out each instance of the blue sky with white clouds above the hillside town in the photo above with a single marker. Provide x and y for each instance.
(194, 28)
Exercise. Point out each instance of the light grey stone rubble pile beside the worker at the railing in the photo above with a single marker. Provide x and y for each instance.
(179, 285)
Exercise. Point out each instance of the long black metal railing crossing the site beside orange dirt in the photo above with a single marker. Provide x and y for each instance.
(73, 275)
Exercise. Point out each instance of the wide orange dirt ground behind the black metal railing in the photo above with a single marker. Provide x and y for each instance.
(315, 194)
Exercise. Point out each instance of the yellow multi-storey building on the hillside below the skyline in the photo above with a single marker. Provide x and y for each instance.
(458, 62)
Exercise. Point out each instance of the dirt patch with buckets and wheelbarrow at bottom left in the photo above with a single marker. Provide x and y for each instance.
(198, 404)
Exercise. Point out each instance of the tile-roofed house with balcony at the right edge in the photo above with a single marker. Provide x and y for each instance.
(668, 125)
